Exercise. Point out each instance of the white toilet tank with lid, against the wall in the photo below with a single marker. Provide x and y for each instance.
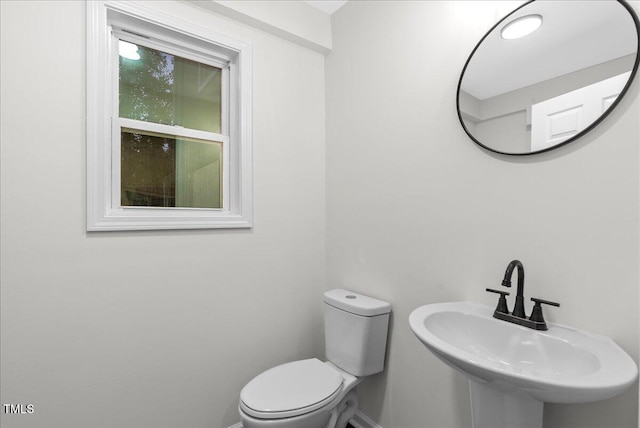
(355, 328)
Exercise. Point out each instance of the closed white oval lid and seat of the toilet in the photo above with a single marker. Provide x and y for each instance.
(291, 389)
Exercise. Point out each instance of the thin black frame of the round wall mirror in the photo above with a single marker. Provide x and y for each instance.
(595, 123)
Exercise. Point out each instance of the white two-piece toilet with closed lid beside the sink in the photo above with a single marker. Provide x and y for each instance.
(315, 394)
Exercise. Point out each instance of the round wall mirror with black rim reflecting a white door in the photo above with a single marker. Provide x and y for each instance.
(548, 73)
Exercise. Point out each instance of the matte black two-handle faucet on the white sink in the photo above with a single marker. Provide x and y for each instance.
(536, 320)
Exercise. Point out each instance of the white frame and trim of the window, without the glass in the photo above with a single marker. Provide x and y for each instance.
(106, 22)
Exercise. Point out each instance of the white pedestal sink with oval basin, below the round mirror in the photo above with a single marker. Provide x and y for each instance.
(513, 370)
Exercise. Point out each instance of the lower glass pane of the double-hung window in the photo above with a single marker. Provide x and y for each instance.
(165, 171)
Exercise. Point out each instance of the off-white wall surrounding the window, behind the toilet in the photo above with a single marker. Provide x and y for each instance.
(151, 329)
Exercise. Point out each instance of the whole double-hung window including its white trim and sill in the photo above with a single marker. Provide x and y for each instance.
(168, 122)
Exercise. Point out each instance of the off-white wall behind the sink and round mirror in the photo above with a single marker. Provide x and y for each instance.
(417, 213)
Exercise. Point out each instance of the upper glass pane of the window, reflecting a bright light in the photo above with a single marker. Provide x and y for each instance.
(162, 88)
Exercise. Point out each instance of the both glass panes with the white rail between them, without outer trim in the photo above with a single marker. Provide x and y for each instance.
(161, 166)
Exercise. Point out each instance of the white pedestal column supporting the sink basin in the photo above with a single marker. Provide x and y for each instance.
(492, 408)
